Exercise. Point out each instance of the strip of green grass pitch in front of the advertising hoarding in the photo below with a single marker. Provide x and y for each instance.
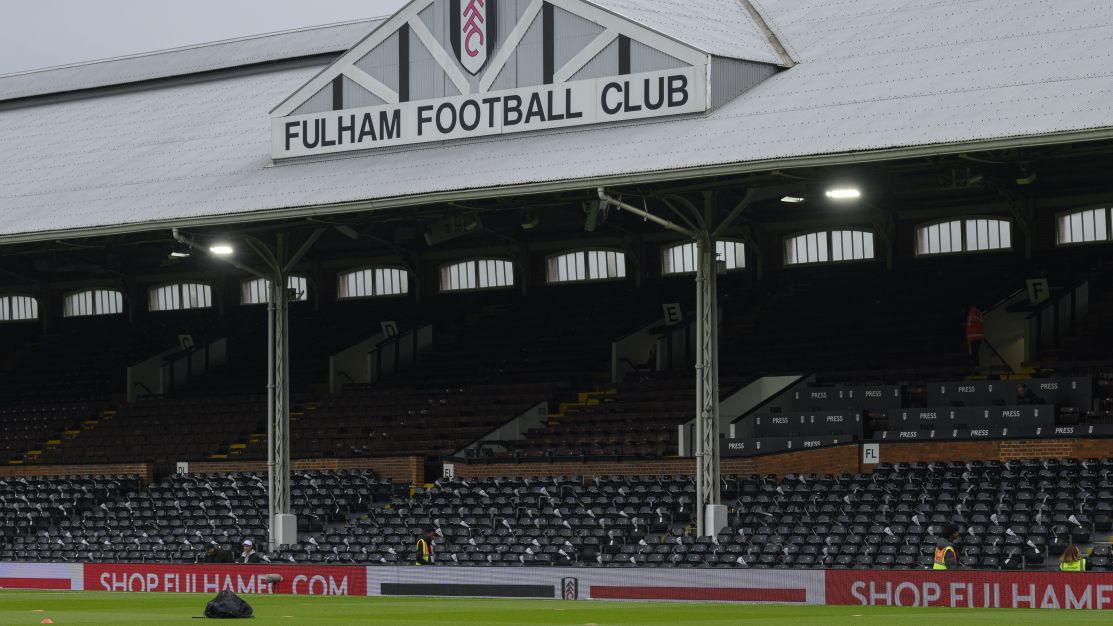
(94, 608)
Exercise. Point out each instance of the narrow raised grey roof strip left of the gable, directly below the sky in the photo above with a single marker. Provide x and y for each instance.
(180, 62)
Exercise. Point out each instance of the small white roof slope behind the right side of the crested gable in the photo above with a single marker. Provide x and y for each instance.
(723, 28)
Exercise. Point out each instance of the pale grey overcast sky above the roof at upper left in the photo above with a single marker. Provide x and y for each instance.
(37, 34)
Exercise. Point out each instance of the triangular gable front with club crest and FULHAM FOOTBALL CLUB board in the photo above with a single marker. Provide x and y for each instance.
(457, 70)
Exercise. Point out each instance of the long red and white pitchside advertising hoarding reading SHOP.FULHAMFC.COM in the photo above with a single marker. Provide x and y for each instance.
(918, 589)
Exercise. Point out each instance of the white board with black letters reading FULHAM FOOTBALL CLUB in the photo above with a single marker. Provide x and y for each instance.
(579, 103)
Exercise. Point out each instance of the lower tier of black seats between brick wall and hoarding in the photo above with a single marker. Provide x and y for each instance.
(1013, 515)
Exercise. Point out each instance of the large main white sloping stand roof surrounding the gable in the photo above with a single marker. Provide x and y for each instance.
(876, 80)
